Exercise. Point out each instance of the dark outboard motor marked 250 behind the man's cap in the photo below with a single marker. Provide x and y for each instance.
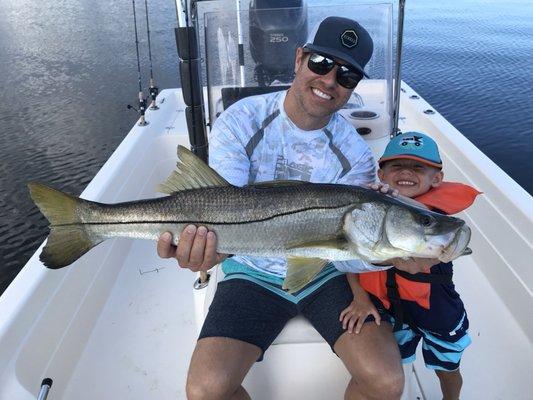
(277, 28)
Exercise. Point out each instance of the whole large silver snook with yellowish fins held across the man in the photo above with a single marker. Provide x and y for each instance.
(308, 223)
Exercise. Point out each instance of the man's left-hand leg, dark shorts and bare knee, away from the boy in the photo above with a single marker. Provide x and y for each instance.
(243, 320)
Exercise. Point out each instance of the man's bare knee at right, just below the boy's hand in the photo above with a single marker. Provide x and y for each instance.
(373, 359)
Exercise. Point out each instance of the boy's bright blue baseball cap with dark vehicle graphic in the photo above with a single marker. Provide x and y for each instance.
(415, 146)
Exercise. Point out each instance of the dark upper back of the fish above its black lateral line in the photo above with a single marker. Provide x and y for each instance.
(228, 204)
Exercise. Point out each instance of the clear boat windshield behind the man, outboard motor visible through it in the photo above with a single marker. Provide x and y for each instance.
(252, 50)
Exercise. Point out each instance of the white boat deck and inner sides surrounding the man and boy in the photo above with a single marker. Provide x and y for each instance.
(121, 323)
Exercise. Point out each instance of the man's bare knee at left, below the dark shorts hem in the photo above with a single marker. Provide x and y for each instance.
(218, 367)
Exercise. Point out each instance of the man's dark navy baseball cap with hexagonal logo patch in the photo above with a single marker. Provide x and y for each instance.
(342, 38)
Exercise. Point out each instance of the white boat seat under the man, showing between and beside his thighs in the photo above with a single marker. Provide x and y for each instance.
(297, 330)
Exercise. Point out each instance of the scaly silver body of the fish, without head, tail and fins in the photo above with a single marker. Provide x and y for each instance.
(275, 217)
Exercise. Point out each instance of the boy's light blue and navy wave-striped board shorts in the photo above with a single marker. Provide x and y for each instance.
(441, 350)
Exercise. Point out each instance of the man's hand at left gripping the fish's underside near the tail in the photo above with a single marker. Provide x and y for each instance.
(196, 248)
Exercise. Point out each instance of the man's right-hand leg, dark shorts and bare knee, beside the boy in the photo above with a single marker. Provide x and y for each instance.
(371, 357)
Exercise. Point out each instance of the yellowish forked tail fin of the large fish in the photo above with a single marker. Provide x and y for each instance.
(69, 238)
